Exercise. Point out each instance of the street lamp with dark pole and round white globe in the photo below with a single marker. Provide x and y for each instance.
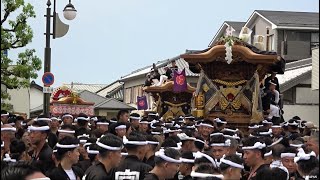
(59, 30)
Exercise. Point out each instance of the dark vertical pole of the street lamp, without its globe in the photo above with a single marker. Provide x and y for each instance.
(47, 60)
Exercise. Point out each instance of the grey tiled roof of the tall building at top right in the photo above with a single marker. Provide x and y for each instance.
(291, 18)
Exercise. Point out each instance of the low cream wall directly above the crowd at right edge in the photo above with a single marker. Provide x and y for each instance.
(305, 112)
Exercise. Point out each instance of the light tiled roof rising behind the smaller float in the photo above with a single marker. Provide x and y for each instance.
(181, 63)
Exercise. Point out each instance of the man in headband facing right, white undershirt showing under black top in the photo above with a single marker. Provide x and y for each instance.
(68, 155)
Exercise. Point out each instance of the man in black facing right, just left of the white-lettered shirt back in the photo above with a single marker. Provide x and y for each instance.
(110, 147)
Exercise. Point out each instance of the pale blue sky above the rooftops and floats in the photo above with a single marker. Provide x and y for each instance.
(111, 38)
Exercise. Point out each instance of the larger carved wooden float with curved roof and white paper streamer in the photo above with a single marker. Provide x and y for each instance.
(230, 76)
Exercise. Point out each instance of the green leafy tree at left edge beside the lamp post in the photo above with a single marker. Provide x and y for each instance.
(15, 34)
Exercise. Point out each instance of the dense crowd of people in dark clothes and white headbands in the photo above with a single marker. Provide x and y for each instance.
(146, 147)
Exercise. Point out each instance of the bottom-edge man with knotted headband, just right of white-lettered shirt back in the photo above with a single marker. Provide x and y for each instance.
(166, 165)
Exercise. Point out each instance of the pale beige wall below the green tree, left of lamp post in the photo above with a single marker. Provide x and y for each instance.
(20, 100)
